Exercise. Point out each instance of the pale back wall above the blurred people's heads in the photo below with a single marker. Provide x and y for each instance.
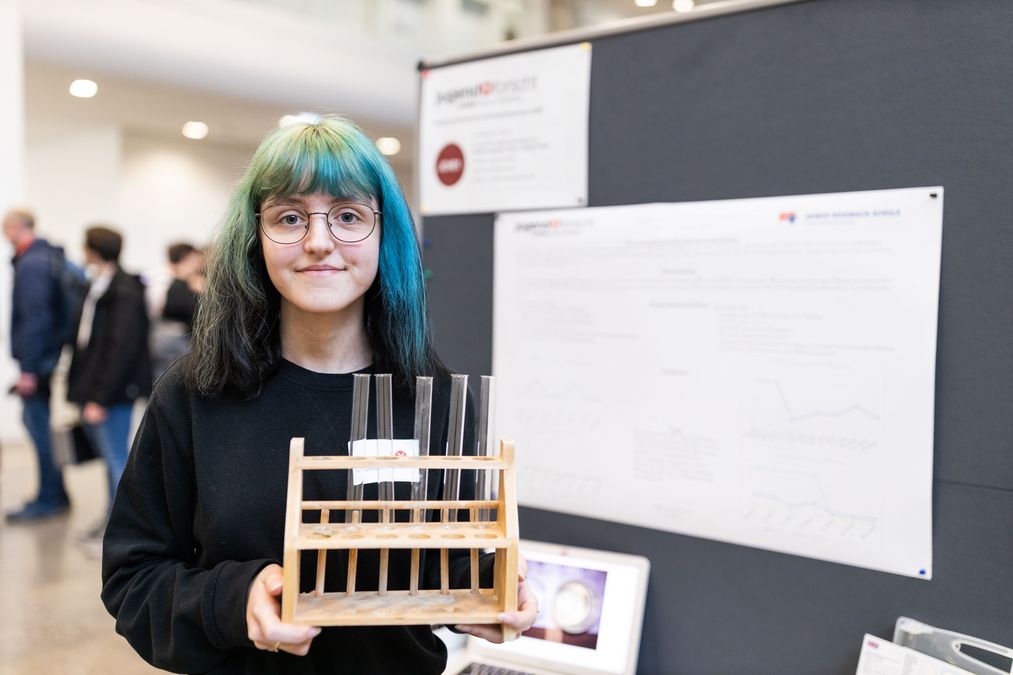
(155, 191)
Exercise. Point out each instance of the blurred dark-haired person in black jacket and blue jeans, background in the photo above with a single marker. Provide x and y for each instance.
(112, 367)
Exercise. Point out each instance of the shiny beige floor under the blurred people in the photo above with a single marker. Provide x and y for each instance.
(52, 621)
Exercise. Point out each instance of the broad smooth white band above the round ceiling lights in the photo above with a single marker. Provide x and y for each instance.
(232, 50)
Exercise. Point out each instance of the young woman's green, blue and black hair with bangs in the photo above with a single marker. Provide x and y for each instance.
(236, 342)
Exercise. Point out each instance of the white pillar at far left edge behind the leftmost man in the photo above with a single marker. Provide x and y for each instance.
(12, 154)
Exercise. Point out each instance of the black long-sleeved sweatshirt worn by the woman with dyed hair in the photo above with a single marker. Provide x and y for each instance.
(201, 510)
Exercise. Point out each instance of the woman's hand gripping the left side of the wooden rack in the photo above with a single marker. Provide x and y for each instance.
(264, 618)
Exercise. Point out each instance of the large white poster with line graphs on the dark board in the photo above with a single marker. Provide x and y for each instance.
(757, 371)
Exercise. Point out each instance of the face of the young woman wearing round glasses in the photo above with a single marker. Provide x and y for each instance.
(320, 275)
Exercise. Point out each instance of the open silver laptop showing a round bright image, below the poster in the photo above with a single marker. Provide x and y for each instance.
(592, 611)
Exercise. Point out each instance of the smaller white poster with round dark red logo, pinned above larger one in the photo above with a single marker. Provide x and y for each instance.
(507, 133)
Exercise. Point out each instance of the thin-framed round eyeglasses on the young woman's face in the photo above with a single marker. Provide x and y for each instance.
(349, 222)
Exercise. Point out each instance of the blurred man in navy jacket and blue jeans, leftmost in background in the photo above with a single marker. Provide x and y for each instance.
(36, 344)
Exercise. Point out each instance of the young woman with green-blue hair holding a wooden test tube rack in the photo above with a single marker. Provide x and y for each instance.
(317, 275)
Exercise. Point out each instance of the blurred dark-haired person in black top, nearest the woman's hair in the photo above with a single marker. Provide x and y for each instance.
(173, 308)
